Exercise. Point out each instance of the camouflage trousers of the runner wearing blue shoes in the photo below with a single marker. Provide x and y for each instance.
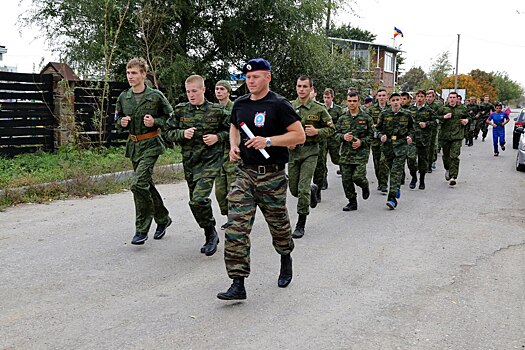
(395, 154)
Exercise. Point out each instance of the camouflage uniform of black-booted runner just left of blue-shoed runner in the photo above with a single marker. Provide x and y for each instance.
(353, 161)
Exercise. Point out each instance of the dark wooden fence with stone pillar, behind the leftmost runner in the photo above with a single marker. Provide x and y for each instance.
(33, 112)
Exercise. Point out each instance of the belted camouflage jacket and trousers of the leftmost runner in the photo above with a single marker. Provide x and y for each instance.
(144, 153)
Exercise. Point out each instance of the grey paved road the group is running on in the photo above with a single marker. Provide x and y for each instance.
(446, 270)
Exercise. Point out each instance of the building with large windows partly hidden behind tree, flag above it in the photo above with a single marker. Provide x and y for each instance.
(380, 60)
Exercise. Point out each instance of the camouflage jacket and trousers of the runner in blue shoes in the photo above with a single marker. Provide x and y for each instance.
(396, 127)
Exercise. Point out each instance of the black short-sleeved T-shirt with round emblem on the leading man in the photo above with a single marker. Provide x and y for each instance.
(269, 116)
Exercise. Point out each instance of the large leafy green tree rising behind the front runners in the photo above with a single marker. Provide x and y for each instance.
(181, 37)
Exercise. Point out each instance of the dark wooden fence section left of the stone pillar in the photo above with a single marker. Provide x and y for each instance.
(26, 113)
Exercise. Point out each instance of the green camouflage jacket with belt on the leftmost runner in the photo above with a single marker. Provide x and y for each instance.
(153, 102)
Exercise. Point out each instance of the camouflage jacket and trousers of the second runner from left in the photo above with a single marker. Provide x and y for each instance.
(202, 163)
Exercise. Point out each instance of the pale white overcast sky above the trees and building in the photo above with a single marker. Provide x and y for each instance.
(492, 33)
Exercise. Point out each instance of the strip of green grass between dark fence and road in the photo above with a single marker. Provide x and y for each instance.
(76, 165)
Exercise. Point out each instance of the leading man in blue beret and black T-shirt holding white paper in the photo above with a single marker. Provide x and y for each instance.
(261, 181)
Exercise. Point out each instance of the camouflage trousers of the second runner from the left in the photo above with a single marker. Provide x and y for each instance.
(200, 187)
